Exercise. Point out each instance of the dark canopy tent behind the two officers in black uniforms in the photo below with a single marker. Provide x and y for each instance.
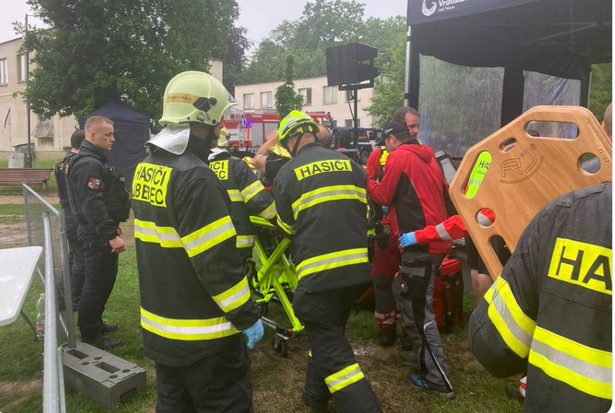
(132, 130)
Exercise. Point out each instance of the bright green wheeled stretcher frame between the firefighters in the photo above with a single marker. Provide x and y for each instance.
(275, 281)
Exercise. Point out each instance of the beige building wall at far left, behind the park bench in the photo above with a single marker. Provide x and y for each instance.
(13, 114)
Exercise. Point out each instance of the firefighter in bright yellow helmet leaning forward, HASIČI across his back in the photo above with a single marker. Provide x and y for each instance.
(321, 202)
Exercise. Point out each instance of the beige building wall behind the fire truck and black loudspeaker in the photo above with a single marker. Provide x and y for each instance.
(340, 111)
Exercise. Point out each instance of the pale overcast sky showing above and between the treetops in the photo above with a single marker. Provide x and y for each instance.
(258, 16)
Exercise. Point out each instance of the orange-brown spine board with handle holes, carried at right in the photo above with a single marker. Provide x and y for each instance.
(522, 173)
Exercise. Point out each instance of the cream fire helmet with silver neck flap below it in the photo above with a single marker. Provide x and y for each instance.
(195, 97)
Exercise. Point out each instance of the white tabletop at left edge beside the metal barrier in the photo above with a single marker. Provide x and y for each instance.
(17, 267)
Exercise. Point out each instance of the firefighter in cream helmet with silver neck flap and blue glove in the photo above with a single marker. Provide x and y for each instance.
(195, 298)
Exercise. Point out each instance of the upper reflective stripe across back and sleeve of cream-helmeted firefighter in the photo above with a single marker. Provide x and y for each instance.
(194, 244)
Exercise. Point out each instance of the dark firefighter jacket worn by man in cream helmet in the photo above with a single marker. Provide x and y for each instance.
(195, 298)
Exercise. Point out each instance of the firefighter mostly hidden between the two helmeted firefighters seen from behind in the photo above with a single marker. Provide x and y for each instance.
(248, 195)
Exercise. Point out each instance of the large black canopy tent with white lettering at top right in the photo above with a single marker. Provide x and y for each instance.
(556, 37)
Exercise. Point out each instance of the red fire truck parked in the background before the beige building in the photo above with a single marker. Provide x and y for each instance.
(250, 130)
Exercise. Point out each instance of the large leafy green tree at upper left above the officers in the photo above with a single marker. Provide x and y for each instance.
(94, 51)
